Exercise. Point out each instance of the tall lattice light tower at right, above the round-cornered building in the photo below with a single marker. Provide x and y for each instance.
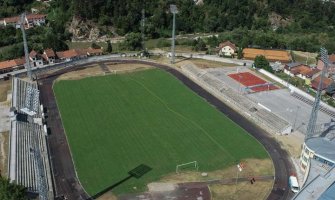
(314, 115)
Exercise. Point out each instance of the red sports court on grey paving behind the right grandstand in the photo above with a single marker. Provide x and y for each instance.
(255, 83)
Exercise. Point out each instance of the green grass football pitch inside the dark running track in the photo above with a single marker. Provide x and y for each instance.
(114, 123)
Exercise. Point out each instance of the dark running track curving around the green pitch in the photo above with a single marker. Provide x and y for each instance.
(65, 179)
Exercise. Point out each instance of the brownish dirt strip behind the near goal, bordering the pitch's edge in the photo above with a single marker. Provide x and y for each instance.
(252, 168)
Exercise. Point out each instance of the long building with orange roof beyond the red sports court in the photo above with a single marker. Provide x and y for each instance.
(271, 55)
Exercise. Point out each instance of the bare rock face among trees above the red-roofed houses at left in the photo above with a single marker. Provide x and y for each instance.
(83, 30)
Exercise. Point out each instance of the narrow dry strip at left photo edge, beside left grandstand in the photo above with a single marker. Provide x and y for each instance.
(4, 144)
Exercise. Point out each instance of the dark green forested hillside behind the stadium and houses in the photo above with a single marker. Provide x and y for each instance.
(283, 24)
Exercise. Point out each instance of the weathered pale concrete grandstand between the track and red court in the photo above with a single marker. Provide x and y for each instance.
(246, 106)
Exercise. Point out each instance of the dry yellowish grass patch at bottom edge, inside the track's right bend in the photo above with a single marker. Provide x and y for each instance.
(243, 190)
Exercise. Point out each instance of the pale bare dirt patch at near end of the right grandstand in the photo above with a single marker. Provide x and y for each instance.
(292, 143)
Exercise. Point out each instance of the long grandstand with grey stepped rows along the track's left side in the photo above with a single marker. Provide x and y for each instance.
(28, 144)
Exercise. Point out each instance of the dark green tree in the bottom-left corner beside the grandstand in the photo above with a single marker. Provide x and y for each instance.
(11, 191)
